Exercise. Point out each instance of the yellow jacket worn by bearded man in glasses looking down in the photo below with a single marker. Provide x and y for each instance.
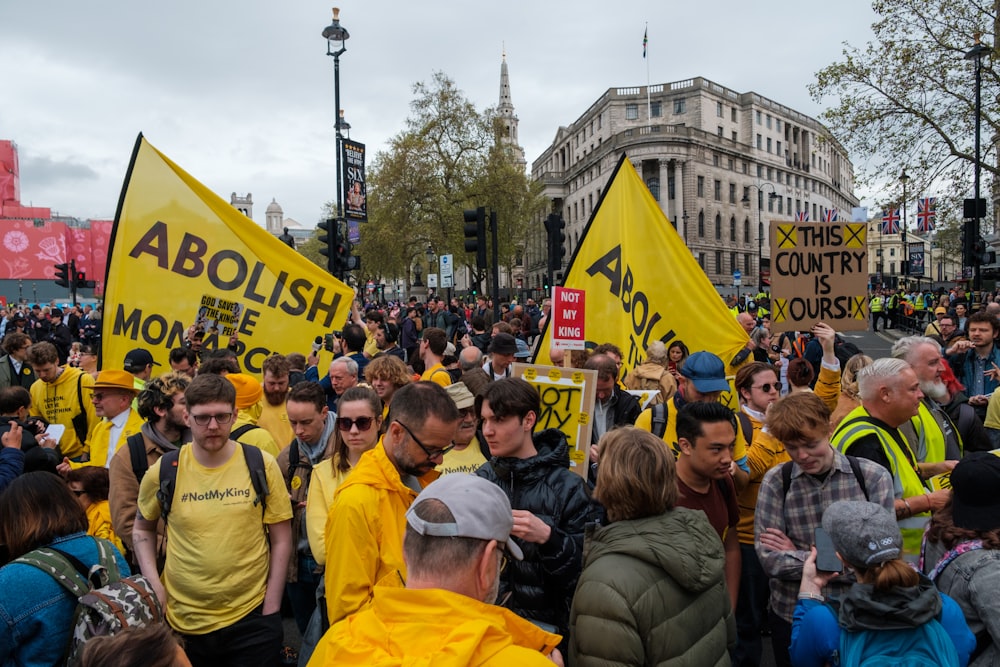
(364, 533)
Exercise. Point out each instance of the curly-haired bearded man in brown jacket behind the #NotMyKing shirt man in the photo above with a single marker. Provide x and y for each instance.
(161, 404)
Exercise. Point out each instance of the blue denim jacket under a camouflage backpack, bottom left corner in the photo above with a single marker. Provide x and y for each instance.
(36, 612)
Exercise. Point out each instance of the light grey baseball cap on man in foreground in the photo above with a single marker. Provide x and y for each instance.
(480, 508)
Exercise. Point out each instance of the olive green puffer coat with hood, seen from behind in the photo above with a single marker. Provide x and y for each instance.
(652, 592)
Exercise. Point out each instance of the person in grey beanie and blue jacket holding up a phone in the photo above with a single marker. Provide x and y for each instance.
(889, 596)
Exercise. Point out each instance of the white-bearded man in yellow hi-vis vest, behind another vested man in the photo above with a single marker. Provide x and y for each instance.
(932, 435)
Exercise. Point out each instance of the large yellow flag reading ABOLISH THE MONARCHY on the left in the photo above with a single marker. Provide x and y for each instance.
(182, 256)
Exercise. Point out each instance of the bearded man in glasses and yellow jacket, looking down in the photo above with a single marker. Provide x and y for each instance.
(364, 534)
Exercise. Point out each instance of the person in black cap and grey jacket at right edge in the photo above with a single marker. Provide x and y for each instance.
(961, 554)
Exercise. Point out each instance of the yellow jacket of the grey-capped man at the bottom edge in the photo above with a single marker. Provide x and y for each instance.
(433, 627)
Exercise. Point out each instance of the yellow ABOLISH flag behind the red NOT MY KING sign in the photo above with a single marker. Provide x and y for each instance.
(642, 282)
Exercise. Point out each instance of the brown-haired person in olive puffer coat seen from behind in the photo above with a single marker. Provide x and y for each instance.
(652, 589)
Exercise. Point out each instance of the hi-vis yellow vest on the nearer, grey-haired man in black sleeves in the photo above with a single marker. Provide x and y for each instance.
(906, 481)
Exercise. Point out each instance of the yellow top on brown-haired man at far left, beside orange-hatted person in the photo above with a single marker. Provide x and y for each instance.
(59, 402)
